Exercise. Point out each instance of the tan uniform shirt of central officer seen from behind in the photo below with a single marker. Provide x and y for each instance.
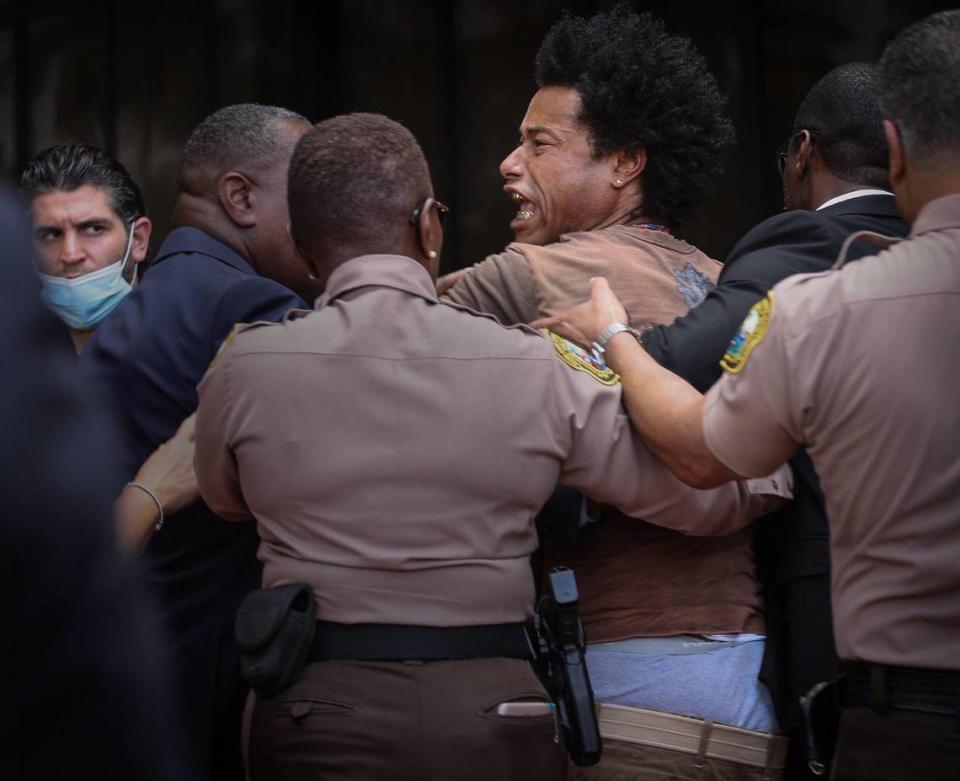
(394, 450)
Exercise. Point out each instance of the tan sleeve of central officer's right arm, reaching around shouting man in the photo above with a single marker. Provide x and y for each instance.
(607, 461)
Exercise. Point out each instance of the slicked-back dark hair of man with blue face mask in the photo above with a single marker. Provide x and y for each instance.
(68, 167)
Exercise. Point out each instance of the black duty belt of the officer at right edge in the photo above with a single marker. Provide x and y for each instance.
(880, 686)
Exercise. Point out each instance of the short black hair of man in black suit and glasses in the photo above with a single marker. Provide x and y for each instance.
(842, 113)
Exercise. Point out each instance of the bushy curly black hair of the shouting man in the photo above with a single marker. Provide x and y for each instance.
(639, 86)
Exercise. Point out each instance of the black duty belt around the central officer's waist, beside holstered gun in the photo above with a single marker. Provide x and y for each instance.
(397, 642)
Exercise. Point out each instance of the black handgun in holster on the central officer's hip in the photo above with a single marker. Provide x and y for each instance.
(562, 666)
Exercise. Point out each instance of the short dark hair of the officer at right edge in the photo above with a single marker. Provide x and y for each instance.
(920, 85)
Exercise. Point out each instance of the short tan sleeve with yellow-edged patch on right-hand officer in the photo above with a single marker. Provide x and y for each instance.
(752, 417)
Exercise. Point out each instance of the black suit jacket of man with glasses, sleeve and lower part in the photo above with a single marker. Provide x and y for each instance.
(792, 545)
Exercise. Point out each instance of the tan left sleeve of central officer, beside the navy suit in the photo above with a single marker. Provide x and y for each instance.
(214, 461)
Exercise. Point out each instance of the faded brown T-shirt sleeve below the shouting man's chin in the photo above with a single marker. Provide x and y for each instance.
(501, 285)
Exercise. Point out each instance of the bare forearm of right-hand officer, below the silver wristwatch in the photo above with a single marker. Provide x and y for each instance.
(667, 412)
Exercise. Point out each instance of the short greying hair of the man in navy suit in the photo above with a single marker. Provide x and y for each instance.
(232, 137)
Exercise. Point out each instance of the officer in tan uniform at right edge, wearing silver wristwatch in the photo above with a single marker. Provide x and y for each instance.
(860, 364)
